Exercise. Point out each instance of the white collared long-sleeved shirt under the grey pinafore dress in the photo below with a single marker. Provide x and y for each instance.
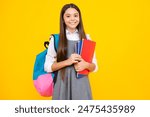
(51, 53)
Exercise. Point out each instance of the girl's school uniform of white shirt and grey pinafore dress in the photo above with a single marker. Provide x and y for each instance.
(71, 88)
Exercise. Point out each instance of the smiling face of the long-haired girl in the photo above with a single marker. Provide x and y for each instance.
(71, 19)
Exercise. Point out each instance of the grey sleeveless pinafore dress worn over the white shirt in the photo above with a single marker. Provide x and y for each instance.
(71, 88)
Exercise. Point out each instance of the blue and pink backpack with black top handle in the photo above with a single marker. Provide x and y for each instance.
(43, 81)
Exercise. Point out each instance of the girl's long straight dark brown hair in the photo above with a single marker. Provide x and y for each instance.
(62, 49)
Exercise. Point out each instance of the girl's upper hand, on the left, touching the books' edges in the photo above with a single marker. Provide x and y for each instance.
(74, 58)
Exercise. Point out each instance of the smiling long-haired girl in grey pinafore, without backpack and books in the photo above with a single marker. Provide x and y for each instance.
(66, 62)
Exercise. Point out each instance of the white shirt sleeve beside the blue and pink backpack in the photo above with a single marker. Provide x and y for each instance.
(51, 56)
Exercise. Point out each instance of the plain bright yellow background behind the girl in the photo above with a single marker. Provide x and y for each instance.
(121, 29)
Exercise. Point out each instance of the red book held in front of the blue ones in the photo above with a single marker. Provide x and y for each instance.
(87, 53)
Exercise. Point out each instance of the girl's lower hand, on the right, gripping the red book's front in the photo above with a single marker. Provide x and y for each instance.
(81, 65)
